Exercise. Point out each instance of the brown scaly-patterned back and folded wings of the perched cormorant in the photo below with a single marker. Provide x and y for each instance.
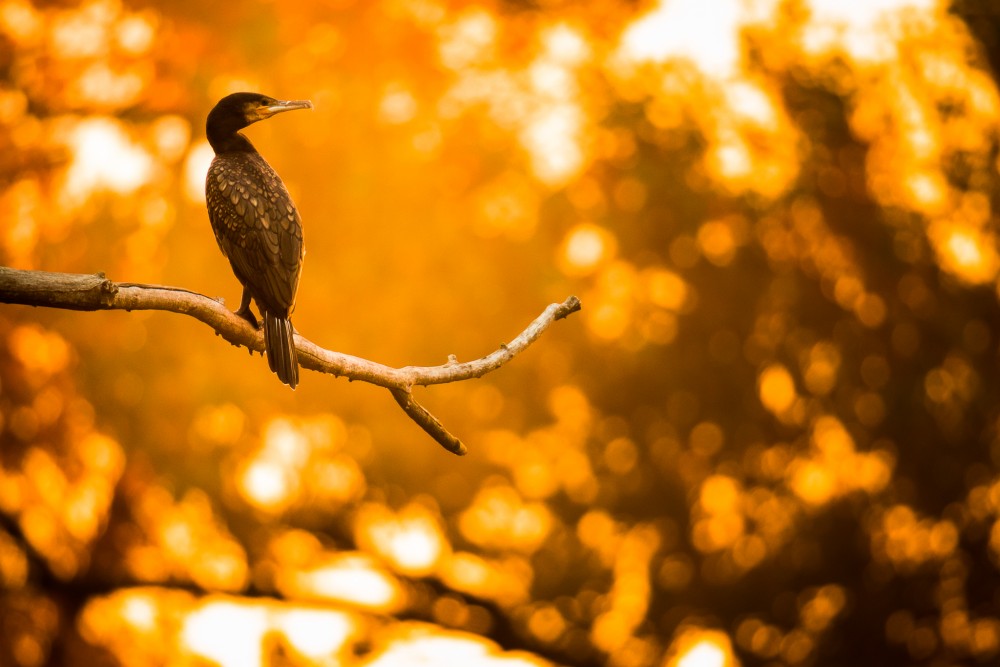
(257, 228)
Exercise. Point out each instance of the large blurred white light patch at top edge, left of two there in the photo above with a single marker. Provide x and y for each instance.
(709, 38)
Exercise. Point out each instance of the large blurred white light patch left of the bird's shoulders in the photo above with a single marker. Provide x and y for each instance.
(104, 157)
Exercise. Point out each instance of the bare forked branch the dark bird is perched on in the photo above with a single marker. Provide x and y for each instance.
(75, 291)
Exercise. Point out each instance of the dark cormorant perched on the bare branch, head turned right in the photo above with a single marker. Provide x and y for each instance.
(256, 223)
